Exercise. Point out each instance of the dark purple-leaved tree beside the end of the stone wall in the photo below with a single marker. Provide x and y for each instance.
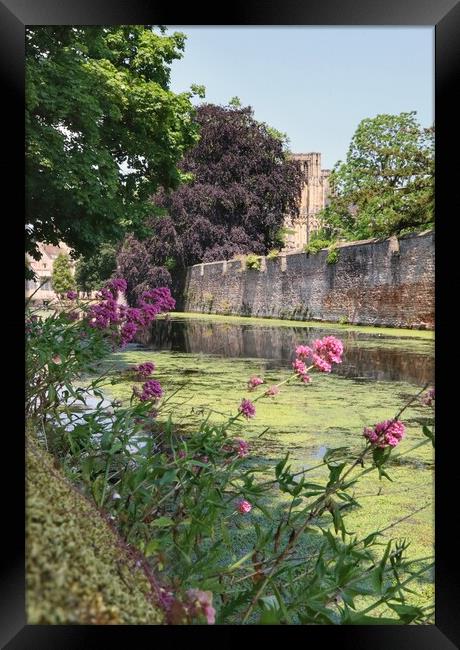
(242, 187)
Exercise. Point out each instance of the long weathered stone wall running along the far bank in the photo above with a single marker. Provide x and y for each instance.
(388, 283)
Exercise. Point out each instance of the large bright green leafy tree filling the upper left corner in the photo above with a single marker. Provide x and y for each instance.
(103, 131)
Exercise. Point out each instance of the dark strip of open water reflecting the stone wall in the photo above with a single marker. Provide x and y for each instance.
(366, 356)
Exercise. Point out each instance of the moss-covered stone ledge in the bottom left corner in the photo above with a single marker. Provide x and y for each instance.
(78, 570)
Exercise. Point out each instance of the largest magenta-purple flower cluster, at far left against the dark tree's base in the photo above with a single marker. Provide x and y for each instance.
(127, 320)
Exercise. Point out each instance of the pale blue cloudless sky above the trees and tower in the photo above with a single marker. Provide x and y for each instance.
(314, 83)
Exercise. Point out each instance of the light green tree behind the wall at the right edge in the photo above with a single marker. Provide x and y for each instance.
(386, 185)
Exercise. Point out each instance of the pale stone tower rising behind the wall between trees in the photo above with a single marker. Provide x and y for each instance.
(314, 196)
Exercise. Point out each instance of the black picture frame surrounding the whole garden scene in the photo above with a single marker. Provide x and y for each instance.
(444, 16)
